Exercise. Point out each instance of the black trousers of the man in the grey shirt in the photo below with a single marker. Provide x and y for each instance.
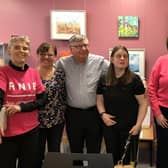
(84, 127)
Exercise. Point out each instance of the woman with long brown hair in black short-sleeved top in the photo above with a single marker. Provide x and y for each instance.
(121, 103)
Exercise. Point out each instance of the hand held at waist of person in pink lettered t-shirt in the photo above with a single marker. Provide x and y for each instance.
(11, 109)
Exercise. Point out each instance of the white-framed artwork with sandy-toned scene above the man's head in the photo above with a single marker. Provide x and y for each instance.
(65, 23)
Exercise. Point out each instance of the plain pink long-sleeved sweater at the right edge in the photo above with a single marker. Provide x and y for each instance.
(158, 85)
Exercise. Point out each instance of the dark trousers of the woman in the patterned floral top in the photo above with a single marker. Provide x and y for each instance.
(52, 136)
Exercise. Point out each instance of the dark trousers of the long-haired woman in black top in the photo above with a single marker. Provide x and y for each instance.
(115, 140)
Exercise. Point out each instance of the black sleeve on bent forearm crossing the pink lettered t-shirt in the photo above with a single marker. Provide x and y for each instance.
(39, 103)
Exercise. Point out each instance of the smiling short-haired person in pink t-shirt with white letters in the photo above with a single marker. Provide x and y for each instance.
(22, 94)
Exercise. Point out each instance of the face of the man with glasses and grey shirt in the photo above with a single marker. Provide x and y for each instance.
(80, 50)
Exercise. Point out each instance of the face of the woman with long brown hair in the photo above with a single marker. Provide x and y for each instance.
(120, 59)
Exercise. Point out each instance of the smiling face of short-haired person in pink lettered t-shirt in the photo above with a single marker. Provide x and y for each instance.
(19, 53)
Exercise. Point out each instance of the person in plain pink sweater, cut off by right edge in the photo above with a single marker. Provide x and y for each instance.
(158, 97)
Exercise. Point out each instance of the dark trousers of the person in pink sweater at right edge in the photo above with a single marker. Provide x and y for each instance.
(162, 142)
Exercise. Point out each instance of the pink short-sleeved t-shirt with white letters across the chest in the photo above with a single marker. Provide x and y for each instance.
(20, 87)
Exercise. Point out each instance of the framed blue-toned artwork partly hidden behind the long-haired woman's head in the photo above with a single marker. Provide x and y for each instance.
(136, 60)
